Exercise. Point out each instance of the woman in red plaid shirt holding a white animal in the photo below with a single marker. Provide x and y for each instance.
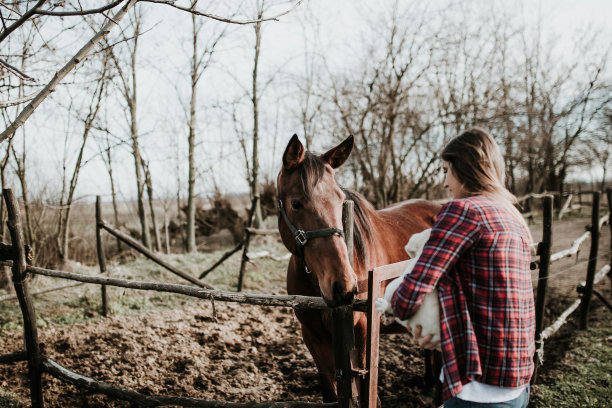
(478, 258)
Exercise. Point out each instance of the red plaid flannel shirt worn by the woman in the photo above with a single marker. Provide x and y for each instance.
(478, 258)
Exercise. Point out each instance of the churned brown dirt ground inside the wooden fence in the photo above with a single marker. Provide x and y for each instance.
(247, 353)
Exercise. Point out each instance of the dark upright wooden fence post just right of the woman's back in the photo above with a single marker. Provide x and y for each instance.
(544, 250)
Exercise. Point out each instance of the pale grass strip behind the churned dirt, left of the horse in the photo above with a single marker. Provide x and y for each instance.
(83, 303)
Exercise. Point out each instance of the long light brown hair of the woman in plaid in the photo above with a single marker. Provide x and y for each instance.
(477, 162)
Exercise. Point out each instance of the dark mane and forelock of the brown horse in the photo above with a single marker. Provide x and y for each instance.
(311, 170)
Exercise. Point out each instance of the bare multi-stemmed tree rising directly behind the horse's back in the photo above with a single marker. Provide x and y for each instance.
(383, 108)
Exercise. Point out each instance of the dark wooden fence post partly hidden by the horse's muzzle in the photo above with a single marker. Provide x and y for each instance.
(343, 336)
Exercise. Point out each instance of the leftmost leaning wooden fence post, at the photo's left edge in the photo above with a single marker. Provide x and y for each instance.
(24, 298)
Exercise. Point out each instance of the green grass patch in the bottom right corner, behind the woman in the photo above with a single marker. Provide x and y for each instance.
(585, 374)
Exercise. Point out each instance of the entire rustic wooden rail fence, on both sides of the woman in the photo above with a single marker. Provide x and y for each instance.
(348, 391)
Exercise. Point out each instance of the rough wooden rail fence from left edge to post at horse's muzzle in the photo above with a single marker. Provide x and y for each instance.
(342, 319)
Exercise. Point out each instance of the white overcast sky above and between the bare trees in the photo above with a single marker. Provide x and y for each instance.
(341, 26)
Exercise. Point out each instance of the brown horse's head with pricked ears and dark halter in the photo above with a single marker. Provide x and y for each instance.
(310, 219)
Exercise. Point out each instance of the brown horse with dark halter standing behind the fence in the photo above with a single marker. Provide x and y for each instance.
(310, 223)
